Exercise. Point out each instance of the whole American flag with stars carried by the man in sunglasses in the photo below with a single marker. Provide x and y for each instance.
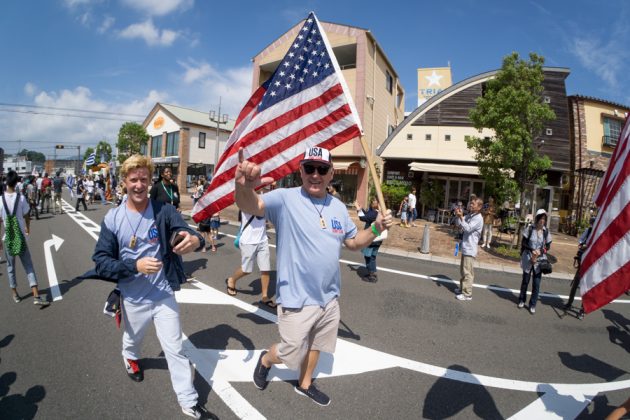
(305, 103)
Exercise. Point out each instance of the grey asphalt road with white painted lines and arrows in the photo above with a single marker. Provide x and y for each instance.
(406, 349)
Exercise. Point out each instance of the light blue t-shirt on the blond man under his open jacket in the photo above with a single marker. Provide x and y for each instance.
(140, 288)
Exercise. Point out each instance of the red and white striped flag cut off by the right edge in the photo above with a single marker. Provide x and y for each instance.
(605, 267)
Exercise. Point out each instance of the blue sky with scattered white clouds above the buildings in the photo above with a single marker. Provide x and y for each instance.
(123, 56)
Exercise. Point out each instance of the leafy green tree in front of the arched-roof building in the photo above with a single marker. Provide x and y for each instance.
(512, 106)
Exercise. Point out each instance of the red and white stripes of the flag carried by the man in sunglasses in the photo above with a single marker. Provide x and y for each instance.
(322, 115)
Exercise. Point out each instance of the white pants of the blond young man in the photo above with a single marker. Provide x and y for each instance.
(165, 316)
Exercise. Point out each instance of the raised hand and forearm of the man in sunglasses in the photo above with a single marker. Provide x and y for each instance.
(246, 179)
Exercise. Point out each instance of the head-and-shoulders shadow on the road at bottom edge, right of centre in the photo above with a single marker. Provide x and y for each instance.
(448, 397)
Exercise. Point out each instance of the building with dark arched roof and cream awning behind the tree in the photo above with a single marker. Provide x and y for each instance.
(430, 144)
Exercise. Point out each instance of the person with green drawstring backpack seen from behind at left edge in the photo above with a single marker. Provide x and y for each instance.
(14, 213)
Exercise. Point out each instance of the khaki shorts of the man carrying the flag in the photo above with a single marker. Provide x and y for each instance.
(309, 328)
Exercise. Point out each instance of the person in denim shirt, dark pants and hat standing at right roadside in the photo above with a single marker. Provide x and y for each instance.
(536, 243)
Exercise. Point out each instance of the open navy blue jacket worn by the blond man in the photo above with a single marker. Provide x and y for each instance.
(106, 254)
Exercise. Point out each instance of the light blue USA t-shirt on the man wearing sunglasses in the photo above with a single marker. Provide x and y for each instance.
(307, 253)
